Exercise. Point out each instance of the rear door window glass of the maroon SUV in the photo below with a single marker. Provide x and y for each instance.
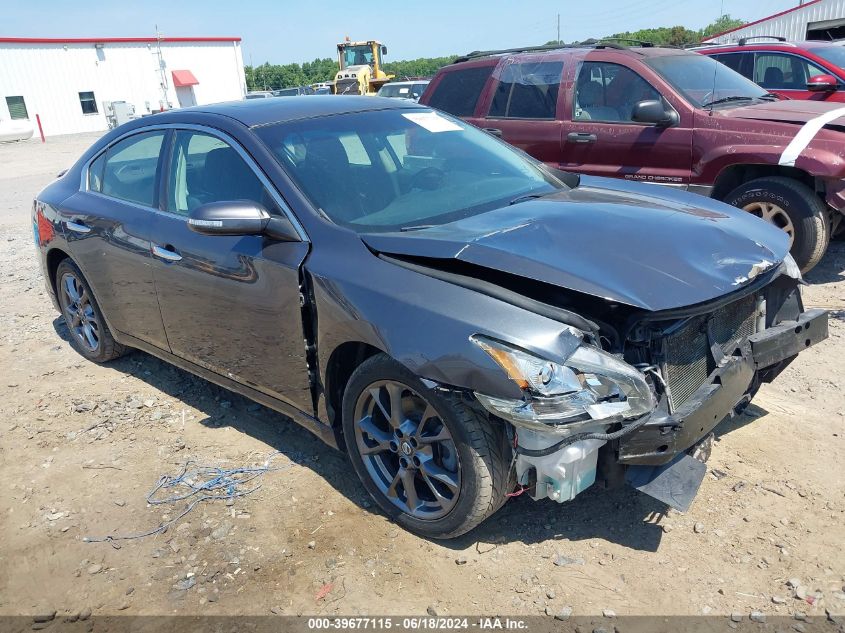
(527, 91)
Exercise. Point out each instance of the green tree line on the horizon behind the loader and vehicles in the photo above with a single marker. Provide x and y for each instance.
(274, 76)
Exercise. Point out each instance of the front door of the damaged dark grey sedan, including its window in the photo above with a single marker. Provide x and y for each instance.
(229, 303)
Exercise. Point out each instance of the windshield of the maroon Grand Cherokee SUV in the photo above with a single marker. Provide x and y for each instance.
(704, 81)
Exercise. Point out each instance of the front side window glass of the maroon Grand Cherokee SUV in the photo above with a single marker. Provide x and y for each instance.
(609, 92)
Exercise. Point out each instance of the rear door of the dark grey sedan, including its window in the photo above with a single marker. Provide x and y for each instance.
(108, 223)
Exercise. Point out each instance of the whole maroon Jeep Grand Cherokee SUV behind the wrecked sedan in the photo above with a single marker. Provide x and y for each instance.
(664, 116)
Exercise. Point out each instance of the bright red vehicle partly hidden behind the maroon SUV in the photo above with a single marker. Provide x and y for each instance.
(794, 70)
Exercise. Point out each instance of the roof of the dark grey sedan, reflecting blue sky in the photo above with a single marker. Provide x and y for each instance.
(257, 112)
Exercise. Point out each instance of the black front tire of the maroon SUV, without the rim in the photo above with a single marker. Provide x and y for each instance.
(806, 211)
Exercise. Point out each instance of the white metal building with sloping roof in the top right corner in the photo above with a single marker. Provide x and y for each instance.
(811, 20)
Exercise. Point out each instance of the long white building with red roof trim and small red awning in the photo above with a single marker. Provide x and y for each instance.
(71, 83)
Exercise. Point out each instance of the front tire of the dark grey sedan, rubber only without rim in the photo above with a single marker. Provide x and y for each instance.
(483, 451)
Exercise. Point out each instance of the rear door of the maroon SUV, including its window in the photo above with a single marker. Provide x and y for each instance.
(522, 107)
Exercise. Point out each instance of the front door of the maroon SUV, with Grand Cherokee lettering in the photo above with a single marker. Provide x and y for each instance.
(600, 138)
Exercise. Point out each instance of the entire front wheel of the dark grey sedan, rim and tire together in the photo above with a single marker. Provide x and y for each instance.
(431, 461)
